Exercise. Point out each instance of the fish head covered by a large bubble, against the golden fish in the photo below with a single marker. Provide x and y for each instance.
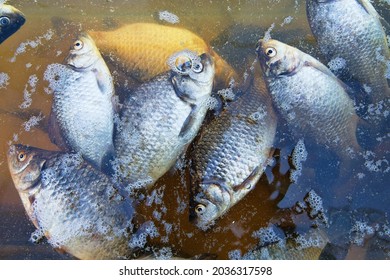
(192, 74)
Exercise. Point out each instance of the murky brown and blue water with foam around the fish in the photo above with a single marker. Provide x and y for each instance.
(353, 215)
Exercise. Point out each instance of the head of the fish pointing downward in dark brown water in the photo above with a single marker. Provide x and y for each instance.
(211, 202)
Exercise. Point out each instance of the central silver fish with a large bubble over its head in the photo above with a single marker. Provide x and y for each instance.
(161, 117)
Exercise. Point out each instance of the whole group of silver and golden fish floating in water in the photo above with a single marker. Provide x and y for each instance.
(116, 146)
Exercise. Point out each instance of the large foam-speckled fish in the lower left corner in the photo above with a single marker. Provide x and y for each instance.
(76, 207)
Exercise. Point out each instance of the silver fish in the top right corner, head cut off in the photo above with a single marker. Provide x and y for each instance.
(351, 30)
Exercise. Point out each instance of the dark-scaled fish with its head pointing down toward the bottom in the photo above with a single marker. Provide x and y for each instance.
(231, 154)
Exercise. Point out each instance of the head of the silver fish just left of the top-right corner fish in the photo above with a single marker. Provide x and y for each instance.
(277, 58)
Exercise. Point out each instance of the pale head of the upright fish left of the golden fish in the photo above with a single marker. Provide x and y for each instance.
(83, 54)
